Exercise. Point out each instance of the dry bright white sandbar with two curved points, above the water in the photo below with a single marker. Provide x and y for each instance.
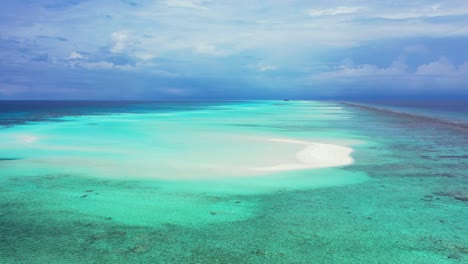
(313, 155)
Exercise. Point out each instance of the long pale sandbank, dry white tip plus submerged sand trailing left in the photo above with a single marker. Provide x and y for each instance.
(207, 157)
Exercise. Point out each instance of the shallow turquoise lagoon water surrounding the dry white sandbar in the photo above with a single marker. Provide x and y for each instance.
(172, 183)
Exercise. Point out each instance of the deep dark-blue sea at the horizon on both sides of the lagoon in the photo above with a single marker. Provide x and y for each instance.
(15, 112)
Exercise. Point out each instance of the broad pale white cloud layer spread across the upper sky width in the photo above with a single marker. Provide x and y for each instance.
(276, 31)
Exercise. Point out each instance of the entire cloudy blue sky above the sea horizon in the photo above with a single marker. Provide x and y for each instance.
(243, 49)
